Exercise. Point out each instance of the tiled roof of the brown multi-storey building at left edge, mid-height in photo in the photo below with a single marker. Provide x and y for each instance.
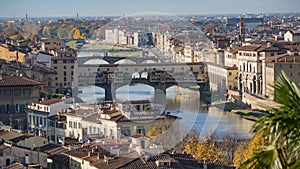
(18, 81)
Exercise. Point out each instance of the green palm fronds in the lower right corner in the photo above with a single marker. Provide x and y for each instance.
(281, 129)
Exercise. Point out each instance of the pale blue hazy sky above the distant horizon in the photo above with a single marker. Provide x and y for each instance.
(120, 7)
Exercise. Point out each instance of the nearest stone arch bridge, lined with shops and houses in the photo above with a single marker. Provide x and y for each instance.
(160, 76)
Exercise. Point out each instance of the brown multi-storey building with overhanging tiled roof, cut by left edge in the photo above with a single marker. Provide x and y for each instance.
(15, 93)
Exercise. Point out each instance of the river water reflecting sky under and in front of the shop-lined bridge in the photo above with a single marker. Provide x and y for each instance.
(184, 103)
